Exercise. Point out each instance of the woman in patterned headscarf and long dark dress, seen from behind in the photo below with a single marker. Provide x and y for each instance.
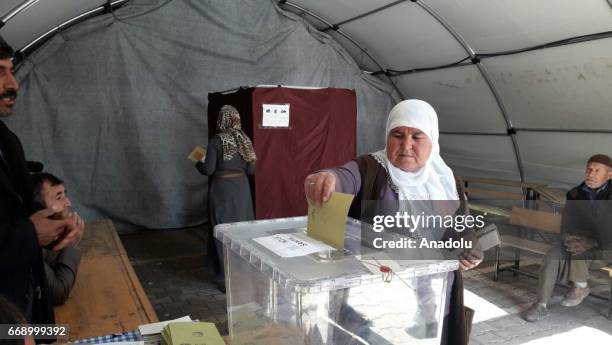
(229, 159)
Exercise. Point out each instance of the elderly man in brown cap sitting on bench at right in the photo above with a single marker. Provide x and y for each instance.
(585, 236)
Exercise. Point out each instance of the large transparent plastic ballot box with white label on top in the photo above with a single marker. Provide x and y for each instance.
(328, 297)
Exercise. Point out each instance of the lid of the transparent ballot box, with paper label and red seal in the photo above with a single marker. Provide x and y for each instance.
(319, 271)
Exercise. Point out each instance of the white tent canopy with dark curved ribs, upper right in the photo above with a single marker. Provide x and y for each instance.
(535, 68)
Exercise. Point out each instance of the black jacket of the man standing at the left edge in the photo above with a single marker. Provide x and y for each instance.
(22, 278)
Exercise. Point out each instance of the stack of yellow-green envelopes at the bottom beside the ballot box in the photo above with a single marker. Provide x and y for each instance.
(191, 333)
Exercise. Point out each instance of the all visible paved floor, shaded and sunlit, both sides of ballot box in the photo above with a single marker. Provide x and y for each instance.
(170, 265)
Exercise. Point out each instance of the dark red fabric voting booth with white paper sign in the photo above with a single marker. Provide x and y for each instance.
(320, 133)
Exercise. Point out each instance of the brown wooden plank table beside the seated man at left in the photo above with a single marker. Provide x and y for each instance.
(107, 296)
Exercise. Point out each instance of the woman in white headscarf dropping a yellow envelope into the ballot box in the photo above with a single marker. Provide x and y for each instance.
(409, 168)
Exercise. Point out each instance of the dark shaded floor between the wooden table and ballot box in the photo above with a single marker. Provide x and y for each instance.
(170, 266)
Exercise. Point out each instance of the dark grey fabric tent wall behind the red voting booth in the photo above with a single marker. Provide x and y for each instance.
(114, 104)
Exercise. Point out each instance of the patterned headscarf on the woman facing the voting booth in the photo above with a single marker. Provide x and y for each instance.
(233, 138)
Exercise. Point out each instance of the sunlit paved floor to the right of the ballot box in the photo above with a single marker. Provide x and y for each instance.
(500, 305)
